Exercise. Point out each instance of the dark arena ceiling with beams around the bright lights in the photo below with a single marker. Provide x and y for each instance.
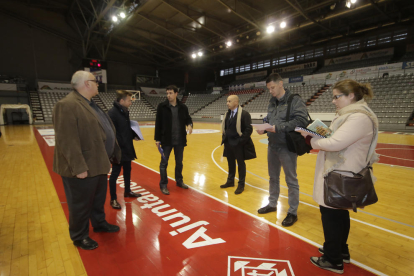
(165, 33)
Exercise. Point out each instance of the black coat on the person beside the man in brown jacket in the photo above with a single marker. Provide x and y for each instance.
(124, 134)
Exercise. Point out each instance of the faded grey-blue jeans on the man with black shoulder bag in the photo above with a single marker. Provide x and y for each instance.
(277, 158)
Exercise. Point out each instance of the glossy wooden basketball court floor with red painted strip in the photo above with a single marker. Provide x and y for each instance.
(231, 236)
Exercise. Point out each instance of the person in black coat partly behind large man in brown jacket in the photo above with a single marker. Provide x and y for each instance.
(125, 135)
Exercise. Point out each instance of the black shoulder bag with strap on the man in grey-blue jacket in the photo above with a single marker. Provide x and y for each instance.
(295, 141)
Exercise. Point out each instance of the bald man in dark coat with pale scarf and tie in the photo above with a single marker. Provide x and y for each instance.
(238, 144)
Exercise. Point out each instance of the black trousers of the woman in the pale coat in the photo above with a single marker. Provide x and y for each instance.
(336, 224)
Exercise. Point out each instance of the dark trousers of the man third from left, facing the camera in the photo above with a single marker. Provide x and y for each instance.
(178, 153)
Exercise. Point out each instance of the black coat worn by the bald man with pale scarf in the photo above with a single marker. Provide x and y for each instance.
(245, 141)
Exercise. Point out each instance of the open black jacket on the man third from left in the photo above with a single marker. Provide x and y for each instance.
(163, 123)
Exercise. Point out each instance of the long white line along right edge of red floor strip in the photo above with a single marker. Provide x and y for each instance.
(370, 269)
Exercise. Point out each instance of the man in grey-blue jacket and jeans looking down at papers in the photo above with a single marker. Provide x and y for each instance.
(278, 155)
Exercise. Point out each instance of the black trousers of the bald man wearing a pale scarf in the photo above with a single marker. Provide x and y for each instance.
(235, 153)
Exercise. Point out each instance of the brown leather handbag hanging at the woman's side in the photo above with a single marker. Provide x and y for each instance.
(349, 192)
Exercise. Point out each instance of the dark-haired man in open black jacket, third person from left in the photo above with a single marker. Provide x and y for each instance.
(170, 132)
